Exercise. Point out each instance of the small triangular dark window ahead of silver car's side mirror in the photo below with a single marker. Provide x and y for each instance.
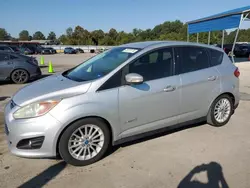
(112, 82)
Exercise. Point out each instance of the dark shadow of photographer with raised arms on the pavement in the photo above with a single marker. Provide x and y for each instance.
(215, 177)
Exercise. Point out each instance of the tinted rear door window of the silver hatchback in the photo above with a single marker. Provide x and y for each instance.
(192, 59)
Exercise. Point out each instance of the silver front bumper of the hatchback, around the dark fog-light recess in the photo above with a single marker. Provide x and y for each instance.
(45, 126)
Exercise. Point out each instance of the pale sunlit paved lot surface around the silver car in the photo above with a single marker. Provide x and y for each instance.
(197, 155)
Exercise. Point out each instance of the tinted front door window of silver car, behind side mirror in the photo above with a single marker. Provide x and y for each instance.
(154, 65)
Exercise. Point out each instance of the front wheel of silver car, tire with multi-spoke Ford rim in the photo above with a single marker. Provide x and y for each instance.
(84, 155)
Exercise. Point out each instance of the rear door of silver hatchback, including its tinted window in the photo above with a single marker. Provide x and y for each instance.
(199, 81)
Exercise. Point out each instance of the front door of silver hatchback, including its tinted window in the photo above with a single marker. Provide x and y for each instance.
(154, 103)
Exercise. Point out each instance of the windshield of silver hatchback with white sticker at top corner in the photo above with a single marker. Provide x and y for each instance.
(101, 64)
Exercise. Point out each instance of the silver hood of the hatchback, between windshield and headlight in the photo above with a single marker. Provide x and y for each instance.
(52, 87)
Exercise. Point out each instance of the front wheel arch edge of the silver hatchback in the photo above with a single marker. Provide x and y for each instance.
(86, 117)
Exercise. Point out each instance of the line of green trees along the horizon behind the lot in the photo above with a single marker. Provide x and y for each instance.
(169, 30)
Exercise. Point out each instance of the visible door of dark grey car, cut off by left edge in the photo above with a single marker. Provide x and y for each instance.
(5, 66)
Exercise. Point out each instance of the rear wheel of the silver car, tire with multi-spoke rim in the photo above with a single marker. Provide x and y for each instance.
(213, 114)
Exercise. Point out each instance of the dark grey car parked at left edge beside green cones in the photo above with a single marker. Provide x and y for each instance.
(18, 68)
